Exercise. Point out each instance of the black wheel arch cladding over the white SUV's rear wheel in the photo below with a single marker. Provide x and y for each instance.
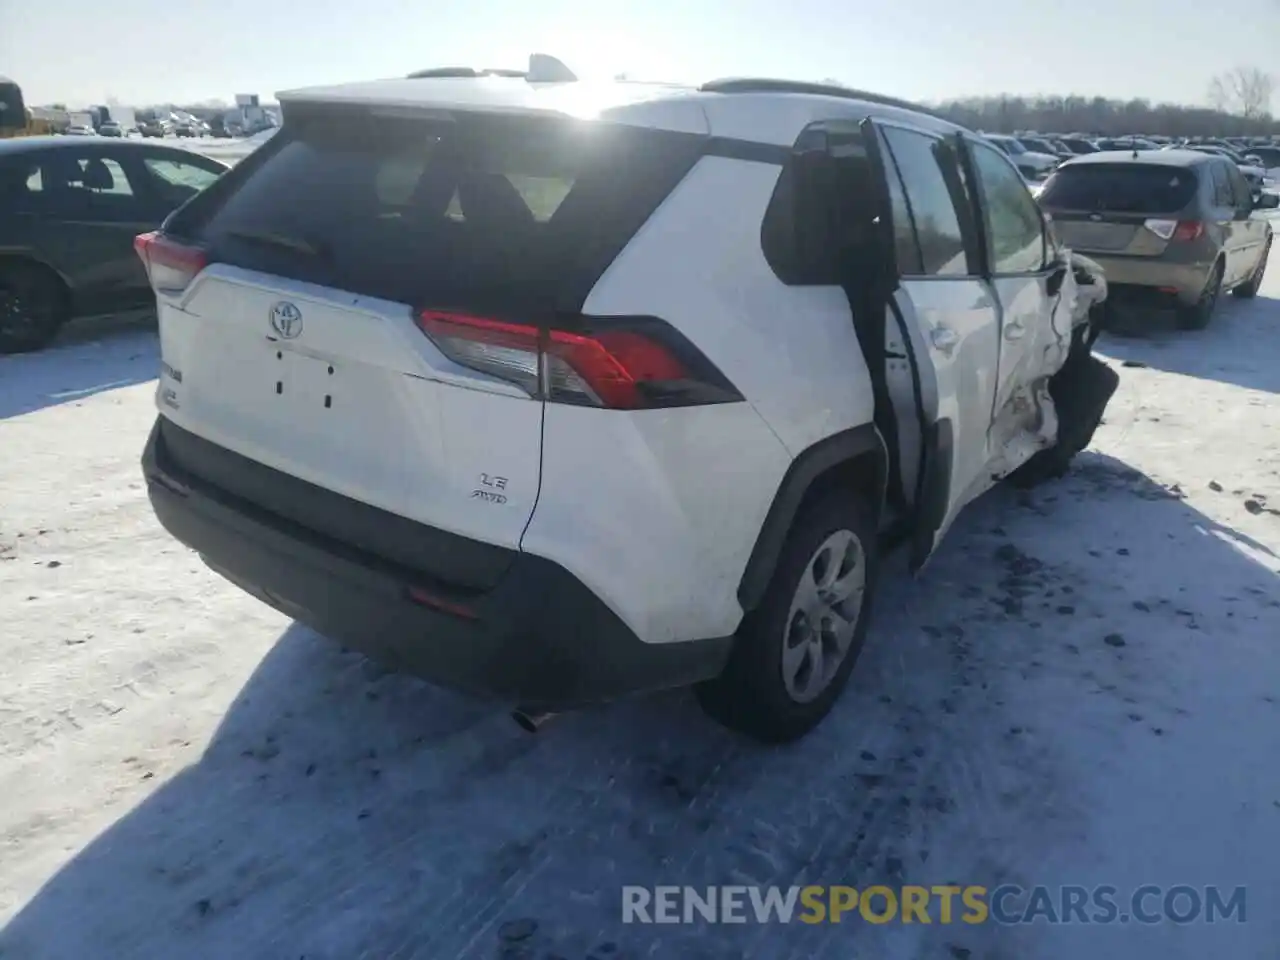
(853, 460)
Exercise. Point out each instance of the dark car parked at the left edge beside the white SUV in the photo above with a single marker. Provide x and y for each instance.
(70, 212)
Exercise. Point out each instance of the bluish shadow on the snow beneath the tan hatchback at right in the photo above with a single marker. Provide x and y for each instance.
(1241, 346)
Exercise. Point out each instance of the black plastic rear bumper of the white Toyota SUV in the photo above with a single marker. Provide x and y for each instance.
(540, 638)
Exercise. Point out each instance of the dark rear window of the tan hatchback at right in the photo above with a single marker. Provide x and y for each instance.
(1130, 189)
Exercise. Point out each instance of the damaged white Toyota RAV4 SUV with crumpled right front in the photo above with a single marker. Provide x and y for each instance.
(560, 392)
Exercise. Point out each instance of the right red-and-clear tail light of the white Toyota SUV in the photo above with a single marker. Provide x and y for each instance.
(620, 364)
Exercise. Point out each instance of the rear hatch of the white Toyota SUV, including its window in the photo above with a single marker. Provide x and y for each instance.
(300, 295)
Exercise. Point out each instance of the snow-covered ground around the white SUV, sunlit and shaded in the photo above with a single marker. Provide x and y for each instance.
(1084, 688)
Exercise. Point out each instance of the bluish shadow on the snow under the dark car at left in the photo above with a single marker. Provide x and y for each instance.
(92, 356)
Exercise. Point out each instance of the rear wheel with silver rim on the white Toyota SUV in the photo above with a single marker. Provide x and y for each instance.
(766, 691)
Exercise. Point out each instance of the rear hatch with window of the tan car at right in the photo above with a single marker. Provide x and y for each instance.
(1124, 208)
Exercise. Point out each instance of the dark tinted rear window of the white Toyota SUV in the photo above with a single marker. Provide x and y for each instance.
(450, 211)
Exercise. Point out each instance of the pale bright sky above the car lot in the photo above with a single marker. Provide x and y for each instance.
(145, 52)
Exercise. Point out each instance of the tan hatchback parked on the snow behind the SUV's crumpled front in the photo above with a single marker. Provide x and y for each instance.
(1169, 227)
